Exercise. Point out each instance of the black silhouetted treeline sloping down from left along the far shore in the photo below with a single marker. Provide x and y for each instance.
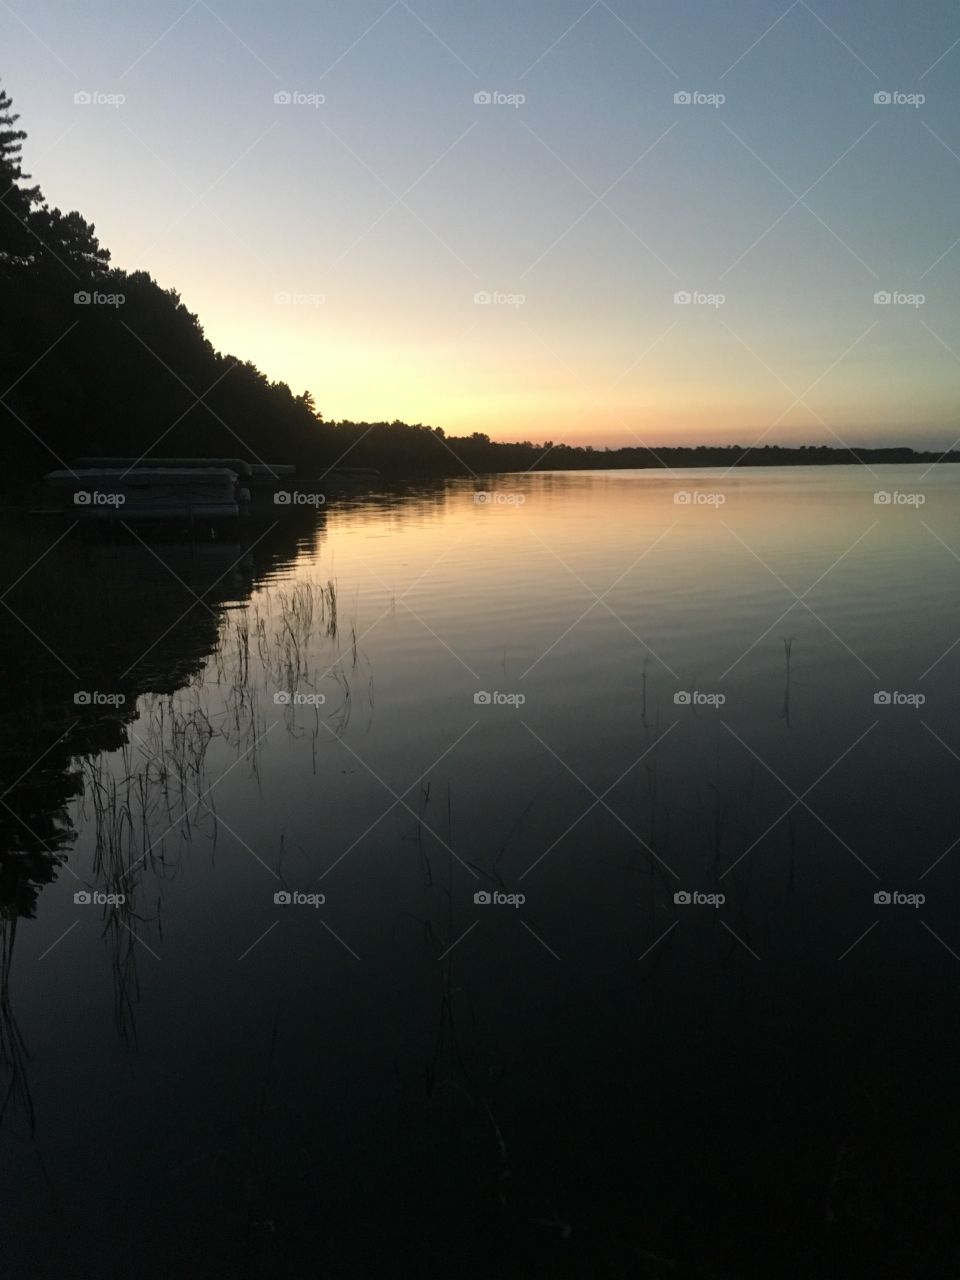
(102, 362)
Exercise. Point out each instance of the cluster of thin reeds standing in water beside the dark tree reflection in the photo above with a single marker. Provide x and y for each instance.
(143, 804)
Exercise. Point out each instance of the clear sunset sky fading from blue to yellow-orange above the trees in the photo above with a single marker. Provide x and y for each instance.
(659, 223)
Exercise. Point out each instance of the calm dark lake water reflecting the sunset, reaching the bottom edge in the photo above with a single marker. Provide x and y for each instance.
(591, 1077)
